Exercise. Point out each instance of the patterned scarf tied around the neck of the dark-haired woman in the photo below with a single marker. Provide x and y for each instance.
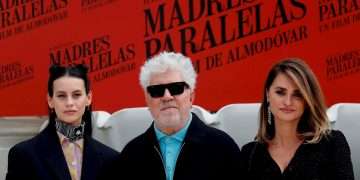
(73, 133)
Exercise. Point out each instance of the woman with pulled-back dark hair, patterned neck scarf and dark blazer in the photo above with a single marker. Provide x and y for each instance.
(64, 150)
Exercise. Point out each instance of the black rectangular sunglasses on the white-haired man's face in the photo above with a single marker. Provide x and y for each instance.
(175, 88)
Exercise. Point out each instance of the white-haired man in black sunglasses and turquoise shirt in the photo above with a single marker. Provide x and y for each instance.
(178, 145)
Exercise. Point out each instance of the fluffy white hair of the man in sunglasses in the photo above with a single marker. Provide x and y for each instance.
(168, 61)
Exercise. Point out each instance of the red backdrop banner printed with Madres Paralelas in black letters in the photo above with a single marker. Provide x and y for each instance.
(232, 44)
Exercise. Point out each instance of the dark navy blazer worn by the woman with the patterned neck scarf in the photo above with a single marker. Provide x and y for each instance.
(42, 158)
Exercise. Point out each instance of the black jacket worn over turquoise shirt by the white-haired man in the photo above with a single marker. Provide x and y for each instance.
(207, 154)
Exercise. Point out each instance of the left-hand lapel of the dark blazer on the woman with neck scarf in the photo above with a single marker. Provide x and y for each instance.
(51, 152)
